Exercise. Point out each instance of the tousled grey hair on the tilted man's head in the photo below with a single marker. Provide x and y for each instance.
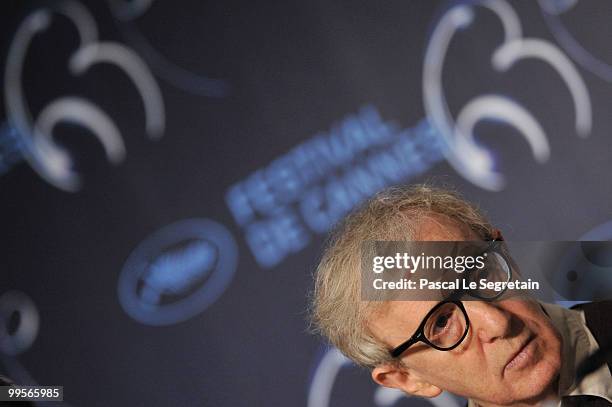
(337, 311)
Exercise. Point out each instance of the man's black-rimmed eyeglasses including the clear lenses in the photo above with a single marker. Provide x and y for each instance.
(446, 325)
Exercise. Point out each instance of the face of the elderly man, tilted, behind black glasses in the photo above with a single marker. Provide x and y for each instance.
(512, 352)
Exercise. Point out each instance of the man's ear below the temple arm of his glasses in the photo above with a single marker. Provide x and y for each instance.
(390, 375)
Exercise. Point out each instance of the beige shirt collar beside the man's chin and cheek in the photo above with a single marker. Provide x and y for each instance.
(578, 344)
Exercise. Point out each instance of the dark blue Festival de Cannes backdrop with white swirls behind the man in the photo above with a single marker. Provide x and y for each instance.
(169, 170)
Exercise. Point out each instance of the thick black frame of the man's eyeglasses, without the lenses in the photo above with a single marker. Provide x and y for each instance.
(419, 335)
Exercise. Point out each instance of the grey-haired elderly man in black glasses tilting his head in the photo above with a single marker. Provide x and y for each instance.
(514, 352)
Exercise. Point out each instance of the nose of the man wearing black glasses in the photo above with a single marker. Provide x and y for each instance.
(490, 321)
